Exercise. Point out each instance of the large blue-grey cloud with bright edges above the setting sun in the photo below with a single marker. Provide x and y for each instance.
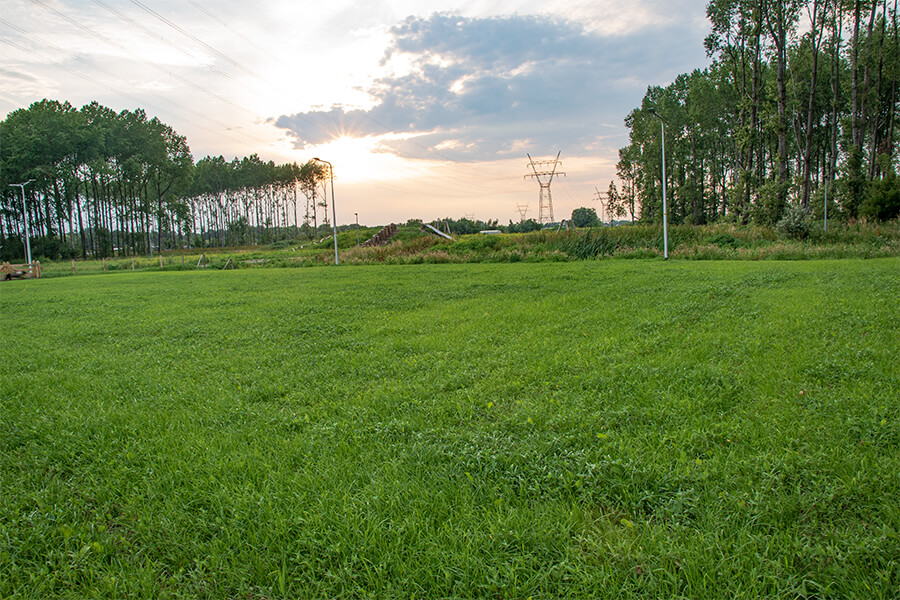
(473, 84)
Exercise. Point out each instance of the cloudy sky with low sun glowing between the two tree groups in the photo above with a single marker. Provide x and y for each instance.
(426, 108)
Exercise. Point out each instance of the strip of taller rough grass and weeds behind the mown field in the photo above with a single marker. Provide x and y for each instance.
(410, 246)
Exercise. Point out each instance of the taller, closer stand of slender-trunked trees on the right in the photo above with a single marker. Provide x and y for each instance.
(798, 105)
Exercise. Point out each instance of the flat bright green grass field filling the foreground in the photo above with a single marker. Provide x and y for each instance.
(617, 429)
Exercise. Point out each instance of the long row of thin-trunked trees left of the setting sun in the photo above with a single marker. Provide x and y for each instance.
(105, 183)
